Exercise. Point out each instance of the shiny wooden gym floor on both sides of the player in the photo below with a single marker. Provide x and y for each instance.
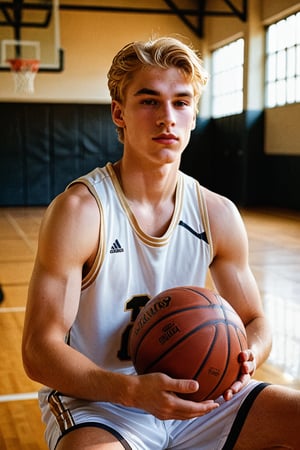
(275, 259)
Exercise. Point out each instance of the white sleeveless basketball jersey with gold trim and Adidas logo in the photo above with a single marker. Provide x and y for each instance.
(131, 266)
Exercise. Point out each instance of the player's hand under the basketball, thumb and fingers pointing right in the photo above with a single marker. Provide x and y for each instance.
(156, 393)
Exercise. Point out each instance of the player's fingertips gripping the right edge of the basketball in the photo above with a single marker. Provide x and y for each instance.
(248, 366)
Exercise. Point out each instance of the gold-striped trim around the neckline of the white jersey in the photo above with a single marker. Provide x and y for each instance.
(146, 238)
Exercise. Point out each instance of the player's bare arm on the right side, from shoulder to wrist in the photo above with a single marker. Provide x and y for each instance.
(234, 279)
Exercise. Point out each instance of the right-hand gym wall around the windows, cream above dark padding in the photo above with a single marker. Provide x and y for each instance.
(265, 142)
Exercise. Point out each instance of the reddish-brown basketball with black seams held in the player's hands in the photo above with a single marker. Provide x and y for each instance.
(192, 333)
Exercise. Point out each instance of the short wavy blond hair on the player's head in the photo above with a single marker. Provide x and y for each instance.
(164, 52)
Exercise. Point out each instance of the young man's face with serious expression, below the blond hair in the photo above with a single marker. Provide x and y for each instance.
(158, 114)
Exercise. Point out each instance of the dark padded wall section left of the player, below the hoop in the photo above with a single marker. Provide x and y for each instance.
(45, 146)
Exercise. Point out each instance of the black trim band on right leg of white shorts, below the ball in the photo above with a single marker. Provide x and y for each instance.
(242, 415)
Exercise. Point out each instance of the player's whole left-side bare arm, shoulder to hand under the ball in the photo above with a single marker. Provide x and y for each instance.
(68, 241)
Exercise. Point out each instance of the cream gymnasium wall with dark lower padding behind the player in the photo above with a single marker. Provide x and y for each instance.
(65, 128)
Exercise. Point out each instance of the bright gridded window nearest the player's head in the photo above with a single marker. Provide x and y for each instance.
(227, 79)
